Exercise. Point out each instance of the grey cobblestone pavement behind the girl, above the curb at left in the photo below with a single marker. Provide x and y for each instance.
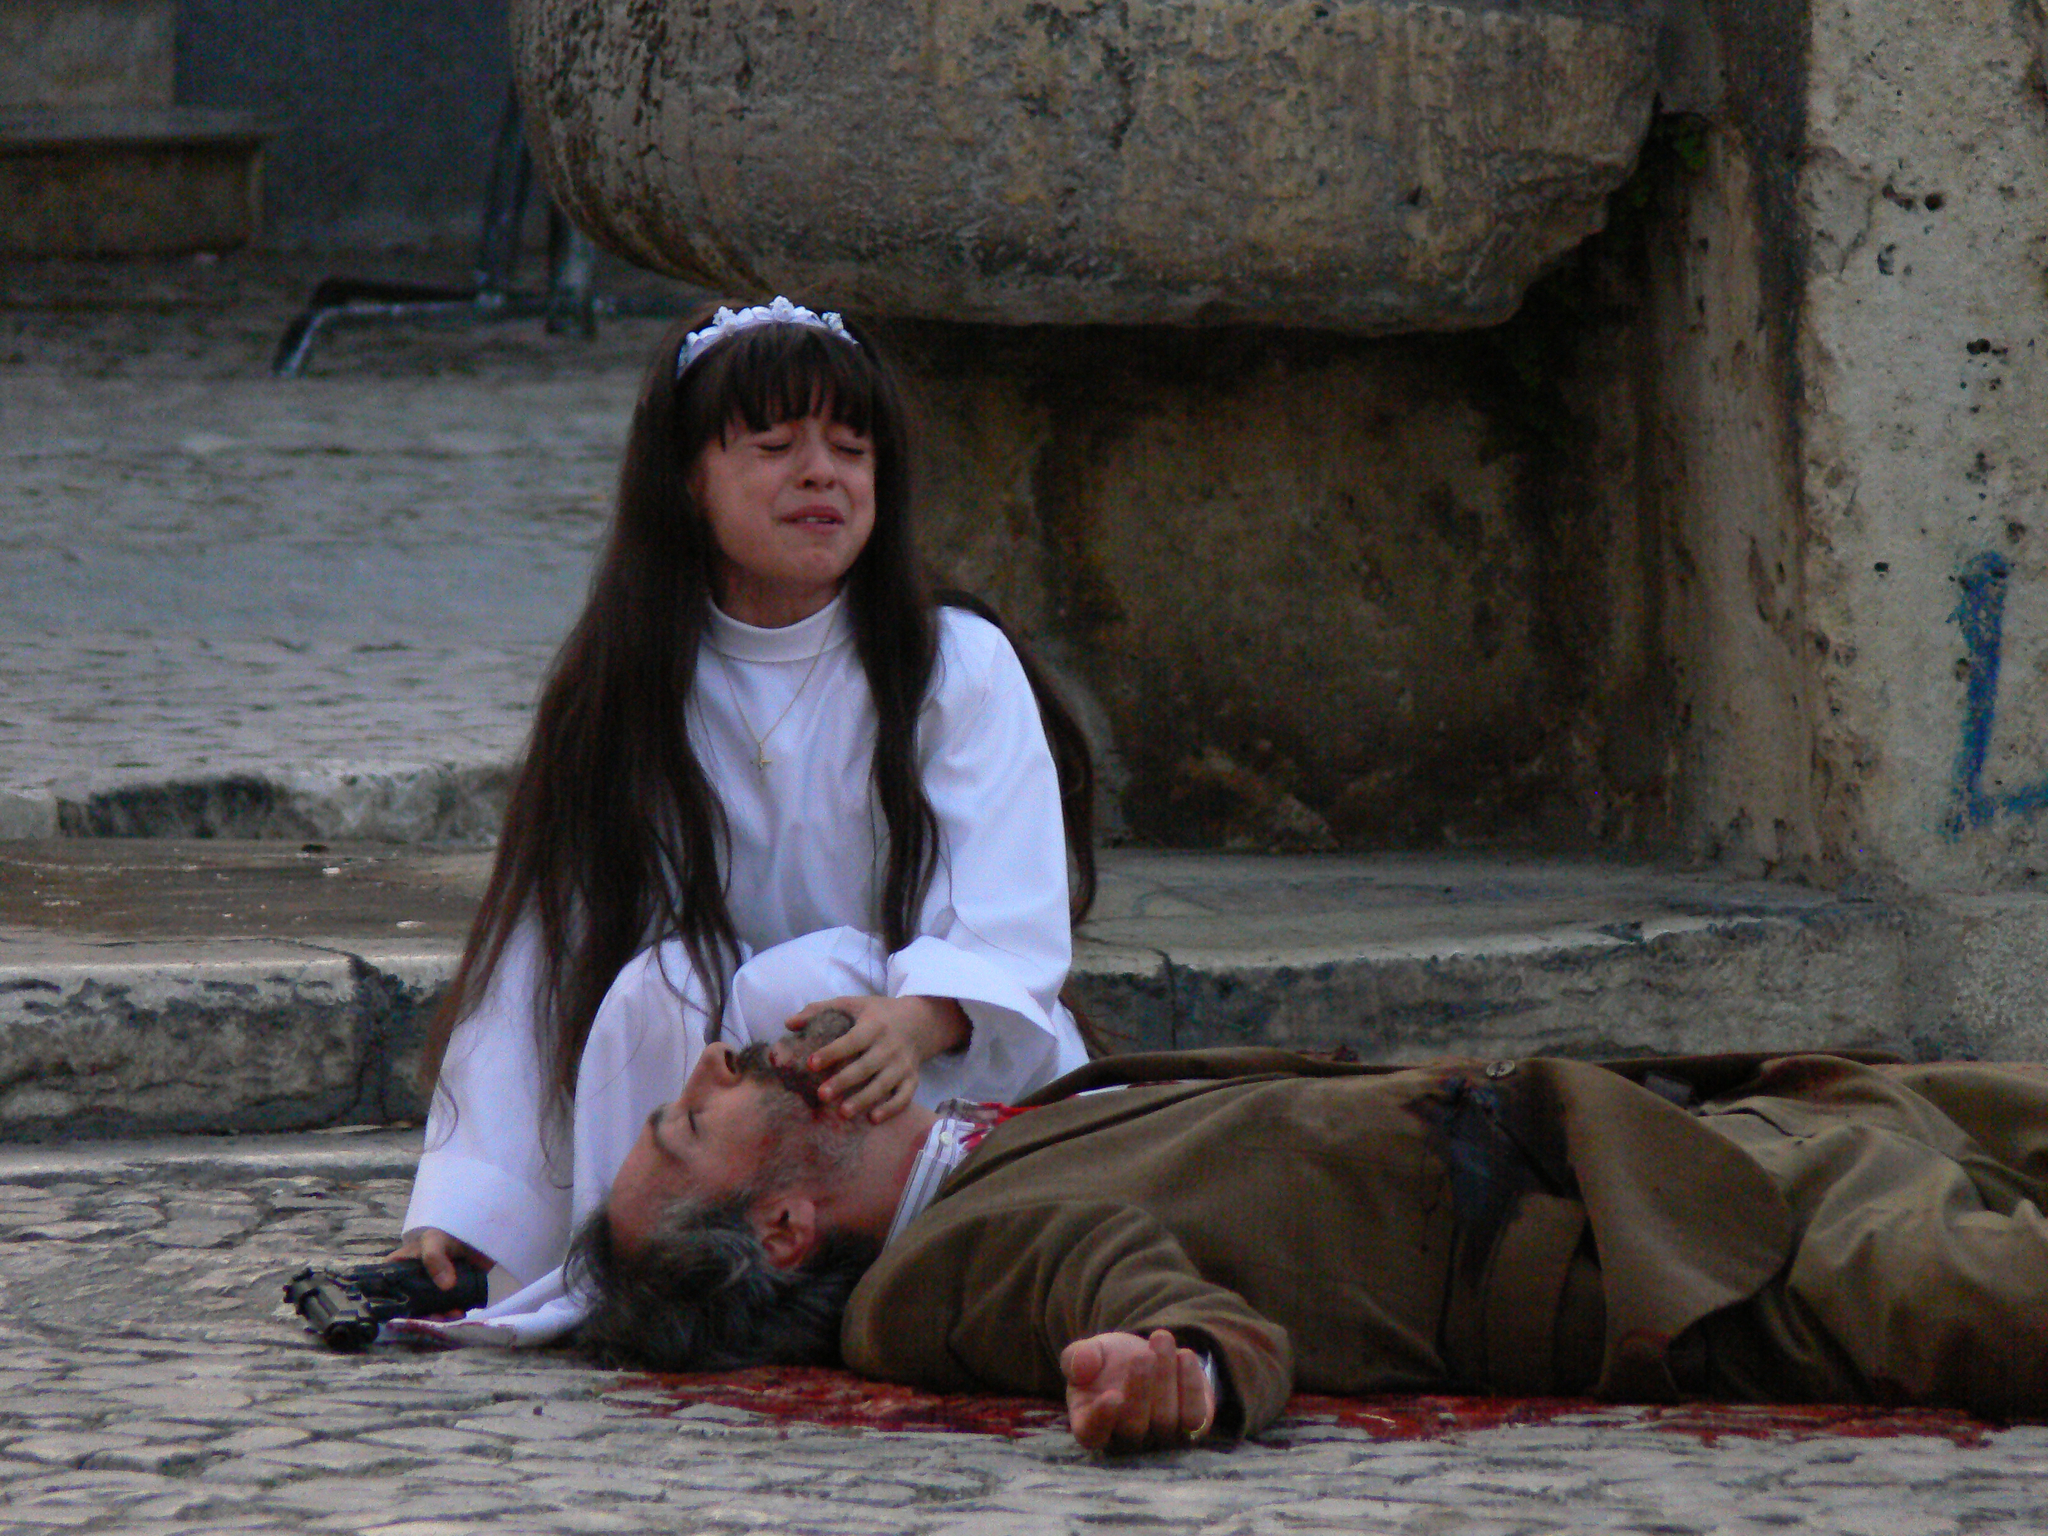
(214, 572)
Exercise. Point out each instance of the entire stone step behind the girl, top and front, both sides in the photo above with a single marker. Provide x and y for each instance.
(218, 986)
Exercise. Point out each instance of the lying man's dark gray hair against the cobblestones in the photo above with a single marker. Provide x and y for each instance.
(701, 1293)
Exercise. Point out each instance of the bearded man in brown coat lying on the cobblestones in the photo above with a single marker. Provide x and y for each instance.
(1179, 1242)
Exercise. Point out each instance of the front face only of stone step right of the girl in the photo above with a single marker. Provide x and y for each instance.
(1793, 980)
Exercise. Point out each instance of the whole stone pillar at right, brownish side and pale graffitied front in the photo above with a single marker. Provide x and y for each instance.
(1850, 423)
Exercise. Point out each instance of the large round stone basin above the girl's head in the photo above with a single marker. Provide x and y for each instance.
(1347, 165)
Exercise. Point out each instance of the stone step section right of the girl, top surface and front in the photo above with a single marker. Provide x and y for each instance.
(1406, 959)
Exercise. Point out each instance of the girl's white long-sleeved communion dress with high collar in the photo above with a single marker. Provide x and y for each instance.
(785, 728)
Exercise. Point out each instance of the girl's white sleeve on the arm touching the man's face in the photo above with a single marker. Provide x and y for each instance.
(996, 931)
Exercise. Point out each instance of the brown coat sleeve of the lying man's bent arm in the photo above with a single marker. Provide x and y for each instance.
(988, 1299)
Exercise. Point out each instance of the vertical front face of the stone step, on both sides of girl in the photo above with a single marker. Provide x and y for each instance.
(263, 1035)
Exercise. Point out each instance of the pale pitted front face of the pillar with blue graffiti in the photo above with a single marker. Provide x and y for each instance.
(1924, 353)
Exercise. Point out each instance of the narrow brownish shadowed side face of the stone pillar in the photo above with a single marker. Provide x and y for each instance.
(1721, 407)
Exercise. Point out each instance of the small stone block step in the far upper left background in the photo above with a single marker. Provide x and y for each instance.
(128, 181)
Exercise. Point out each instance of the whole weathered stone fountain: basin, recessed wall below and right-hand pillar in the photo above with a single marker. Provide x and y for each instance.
(1713, 531)
